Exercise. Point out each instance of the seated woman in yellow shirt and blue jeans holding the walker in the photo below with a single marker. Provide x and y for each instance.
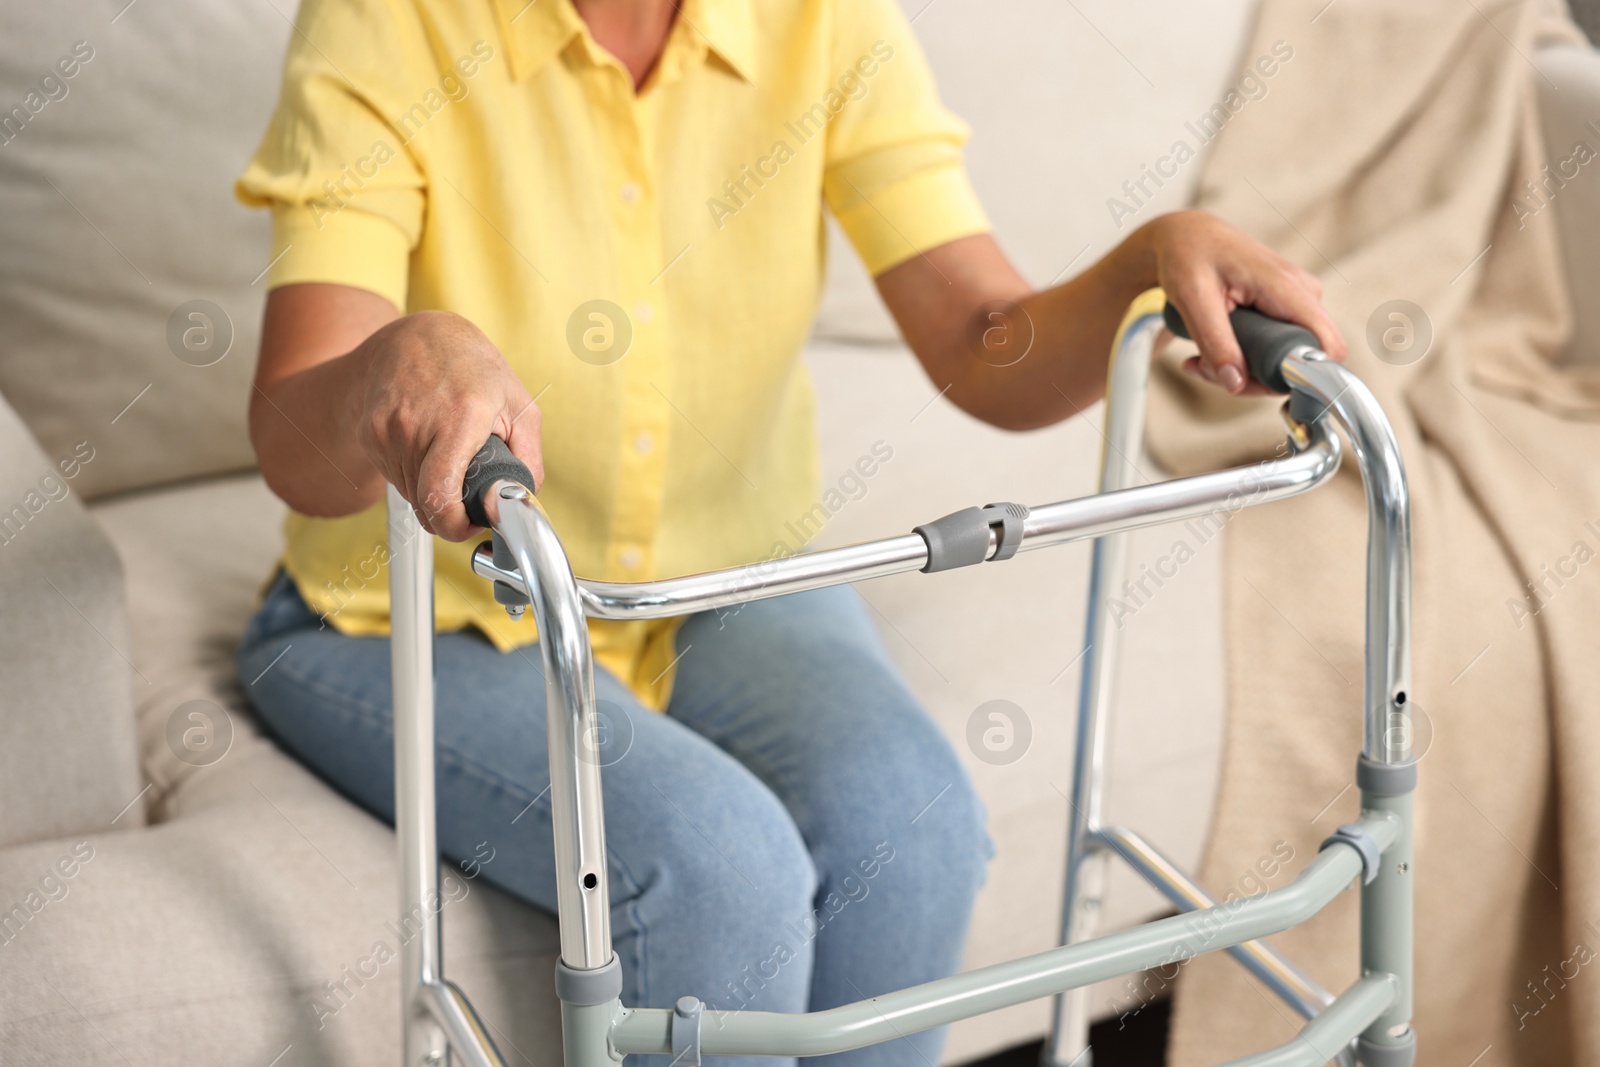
(594, 228)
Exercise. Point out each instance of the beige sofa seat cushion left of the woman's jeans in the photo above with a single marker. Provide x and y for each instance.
(210, 937)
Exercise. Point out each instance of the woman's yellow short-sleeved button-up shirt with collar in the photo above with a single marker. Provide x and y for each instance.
(649, 263)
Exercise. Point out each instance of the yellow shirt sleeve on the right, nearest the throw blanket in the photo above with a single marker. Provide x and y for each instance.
(895, 175)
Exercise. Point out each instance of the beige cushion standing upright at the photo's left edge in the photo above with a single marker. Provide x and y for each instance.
(68, 759)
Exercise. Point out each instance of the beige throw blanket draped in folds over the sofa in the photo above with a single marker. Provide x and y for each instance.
(1390, 156)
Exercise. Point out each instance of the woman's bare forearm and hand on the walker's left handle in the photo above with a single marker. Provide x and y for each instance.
(353, 394)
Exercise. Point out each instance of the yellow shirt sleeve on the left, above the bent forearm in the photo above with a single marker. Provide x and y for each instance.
(342, 180)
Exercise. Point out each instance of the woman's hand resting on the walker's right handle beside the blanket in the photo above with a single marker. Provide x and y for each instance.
(1209, 268)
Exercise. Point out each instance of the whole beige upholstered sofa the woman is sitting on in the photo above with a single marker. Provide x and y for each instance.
(174, 890)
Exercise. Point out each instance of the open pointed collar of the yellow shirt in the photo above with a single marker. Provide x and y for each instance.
(537, 31)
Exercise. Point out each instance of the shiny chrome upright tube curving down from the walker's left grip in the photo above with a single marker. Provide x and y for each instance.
(583, 900)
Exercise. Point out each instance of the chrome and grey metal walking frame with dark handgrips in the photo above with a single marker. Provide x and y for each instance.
(1369, 1023)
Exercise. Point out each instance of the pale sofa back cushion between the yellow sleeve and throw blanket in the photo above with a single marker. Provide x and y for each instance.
(1066, 103)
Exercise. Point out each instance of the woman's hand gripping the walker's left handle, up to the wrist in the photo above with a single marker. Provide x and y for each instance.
(434, 391)
